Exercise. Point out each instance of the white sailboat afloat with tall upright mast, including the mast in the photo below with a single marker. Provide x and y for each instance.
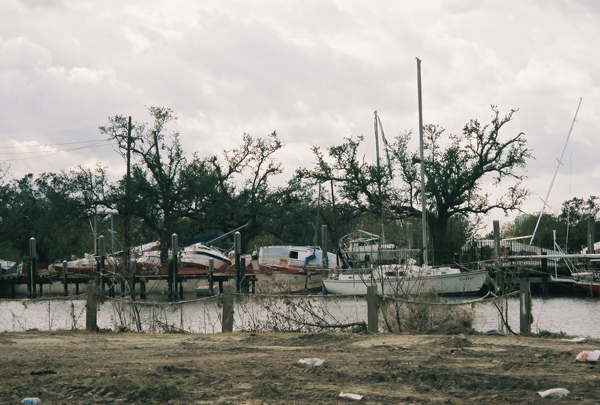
(405, 277)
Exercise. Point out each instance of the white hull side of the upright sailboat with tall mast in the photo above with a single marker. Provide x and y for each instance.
(447, 284)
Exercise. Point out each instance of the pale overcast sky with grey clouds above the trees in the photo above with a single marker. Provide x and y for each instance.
(314, 71)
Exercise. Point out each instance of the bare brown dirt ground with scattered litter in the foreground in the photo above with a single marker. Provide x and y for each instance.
(128, 368)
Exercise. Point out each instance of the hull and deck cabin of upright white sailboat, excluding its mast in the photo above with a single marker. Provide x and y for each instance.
(406, 279)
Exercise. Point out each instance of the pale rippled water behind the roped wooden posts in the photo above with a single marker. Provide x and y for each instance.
(574, 316)
